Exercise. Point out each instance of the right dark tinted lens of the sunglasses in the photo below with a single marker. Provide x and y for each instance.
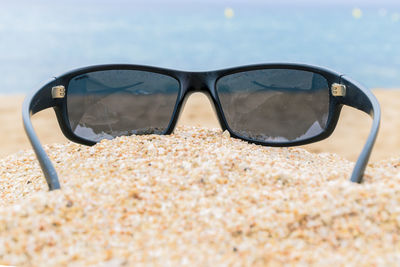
(275, 105)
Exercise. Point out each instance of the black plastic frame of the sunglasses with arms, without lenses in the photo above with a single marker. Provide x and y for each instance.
(356, 96)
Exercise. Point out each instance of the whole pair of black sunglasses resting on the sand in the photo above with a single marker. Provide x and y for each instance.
(268, 104)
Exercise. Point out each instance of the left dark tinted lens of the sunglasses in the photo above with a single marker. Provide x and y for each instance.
(110, 103)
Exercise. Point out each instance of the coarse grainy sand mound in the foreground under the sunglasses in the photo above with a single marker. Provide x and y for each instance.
(197, 198)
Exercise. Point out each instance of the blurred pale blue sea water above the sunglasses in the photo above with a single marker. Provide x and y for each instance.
(41, 39)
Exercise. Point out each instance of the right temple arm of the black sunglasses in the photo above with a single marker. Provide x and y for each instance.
(362, 98)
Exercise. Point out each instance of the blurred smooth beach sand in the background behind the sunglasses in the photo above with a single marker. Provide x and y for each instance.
(347, 139)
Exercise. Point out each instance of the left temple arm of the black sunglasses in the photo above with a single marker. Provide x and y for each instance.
(33, 103)
